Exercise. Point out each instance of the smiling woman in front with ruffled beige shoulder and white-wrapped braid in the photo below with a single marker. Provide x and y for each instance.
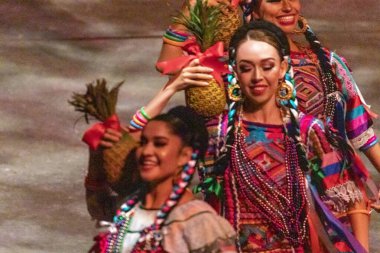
(162, 215)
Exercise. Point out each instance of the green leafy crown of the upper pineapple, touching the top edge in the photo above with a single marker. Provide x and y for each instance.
(202, 21)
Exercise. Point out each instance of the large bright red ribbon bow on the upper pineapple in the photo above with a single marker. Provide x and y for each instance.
(212, 58)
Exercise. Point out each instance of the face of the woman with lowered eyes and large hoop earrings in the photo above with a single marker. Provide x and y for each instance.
(259, 69)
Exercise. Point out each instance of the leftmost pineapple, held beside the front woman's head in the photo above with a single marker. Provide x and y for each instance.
(100, 103)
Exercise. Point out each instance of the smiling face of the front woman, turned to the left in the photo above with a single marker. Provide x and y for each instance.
(161, 153)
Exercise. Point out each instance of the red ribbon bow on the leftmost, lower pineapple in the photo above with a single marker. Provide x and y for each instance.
(95, 133)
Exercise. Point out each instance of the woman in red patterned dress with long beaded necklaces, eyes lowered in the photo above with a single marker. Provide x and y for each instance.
(268, 153)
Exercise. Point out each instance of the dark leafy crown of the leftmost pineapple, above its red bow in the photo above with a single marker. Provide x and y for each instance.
(98, 101)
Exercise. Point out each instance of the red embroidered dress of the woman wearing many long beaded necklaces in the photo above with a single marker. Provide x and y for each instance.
(279, 220)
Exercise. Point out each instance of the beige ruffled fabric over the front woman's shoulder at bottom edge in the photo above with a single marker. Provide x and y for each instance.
(195, 226)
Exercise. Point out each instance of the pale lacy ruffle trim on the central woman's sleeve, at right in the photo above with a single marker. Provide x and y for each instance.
(340, 196)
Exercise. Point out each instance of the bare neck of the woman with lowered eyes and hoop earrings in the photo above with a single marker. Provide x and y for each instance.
(267, 114)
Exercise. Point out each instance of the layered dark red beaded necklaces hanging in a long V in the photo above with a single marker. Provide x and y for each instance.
(286, 210)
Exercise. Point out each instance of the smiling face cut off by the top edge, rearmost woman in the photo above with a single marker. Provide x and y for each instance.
(283, 13)
